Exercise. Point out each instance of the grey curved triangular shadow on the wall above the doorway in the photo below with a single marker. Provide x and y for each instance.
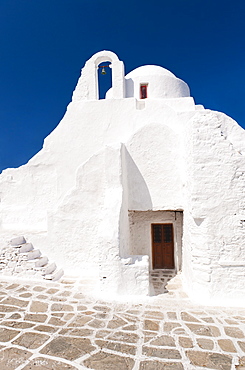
(139, 197)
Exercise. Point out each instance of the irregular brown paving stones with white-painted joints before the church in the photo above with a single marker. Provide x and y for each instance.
(59, 326)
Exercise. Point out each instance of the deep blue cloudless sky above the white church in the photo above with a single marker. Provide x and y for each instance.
(45, 43)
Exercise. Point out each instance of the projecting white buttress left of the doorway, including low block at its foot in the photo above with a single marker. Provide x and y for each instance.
(84, 229)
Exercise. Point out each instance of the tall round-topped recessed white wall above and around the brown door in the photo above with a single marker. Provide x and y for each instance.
(154, 182)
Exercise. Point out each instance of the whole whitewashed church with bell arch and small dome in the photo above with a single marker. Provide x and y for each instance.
(142, 180)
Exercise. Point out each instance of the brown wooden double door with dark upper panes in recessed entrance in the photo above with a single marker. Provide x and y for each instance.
(162, 246)
